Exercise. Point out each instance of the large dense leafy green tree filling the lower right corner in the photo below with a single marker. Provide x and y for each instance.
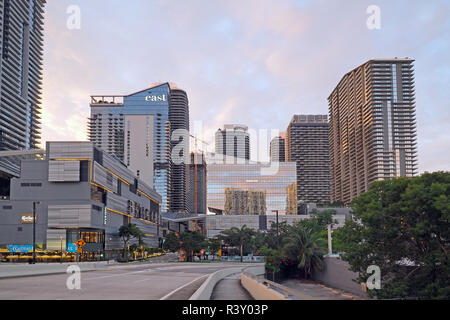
(402, 226)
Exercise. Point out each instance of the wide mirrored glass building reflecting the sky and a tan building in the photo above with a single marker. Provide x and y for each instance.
(245, 178)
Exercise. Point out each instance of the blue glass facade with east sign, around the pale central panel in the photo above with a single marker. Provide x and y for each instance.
(107, 124)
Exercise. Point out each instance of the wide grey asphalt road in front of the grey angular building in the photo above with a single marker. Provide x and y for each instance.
(129, 282)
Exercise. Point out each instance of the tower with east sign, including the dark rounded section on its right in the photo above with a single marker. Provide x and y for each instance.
(138, 129)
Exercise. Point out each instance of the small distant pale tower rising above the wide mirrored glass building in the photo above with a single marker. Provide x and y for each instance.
(233, 141)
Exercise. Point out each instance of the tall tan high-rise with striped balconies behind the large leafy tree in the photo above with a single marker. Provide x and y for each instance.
(372, 127)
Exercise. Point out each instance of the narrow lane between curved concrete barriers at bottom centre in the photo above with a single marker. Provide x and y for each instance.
(230, 288)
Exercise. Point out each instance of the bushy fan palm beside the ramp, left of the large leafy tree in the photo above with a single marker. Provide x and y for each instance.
(304, 245)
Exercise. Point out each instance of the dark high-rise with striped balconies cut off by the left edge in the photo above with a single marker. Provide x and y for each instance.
(21, 58)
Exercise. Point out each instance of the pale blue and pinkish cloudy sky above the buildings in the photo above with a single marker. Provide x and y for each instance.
(251, 62)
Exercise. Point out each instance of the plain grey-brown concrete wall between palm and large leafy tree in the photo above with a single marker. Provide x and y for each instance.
(336, 274)
